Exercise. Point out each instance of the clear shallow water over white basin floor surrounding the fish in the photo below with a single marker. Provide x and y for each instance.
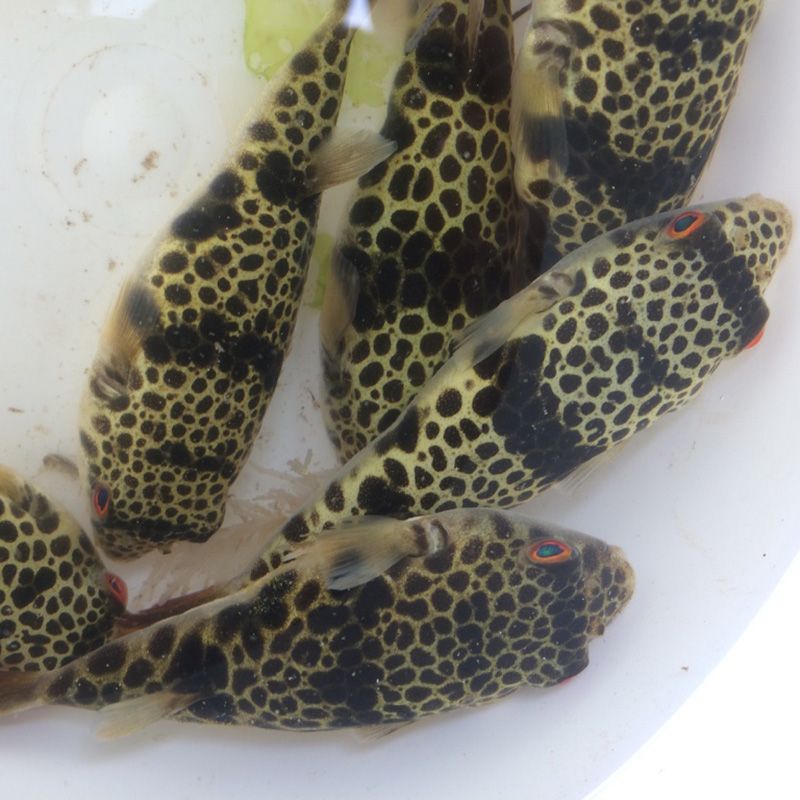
(112, 112)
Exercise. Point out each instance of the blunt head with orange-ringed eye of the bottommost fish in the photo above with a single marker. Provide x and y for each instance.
(582, 583)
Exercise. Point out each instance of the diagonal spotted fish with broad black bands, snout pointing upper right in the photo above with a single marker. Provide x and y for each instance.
(621, 332)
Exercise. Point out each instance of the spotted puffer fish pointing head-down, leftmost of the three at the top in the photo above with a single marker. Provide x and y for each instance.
(193, 348)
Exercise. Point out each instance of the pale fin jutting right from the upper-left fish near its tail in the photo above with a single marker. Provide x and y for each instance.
(345, 156)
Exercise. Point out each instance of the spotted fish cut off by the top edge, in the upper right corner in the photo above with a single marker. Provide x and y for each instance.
(617, 108)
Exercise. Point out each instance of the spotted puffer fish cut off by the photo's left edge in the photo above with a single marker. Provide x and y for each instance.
(57, 601)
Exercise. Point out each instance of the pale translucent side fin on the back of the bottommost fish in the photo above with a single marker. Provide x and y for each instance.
(355, 553)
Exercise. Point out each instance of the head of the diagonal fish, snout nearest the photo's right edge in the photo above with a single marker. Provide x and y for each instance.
(707, 267)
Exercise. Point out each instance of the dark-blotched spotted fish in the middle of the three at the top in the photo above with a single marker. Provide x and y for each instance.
(429, 242)
